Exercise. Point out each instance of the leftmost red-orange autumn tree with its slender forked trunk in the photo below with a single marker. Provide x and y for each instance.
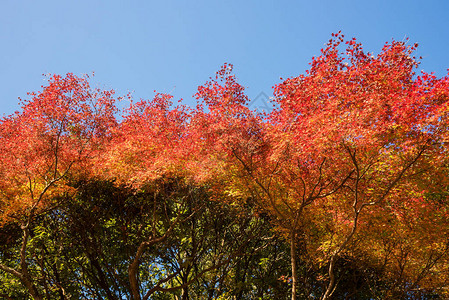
(49, 141)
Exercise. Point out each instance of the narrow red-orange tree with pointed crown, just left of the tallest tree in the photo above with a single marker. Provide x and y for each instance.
(233, 148)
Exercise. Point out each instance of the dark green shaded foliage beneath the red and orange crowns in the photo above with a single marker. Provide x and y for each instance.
(83, 247)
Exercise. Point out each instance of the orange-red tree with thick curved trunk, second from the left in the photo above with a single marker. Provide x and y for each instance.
(146, 147)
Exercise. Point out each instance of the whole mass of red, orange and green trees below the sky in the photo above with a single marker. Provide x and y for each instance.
(341, 192)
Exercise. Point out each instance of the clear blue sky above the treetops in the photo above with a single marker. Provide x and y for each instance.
(174, 46)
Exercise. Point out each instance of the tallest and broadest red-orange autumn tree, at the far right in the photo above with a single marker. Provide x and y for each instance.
(350, 137)
